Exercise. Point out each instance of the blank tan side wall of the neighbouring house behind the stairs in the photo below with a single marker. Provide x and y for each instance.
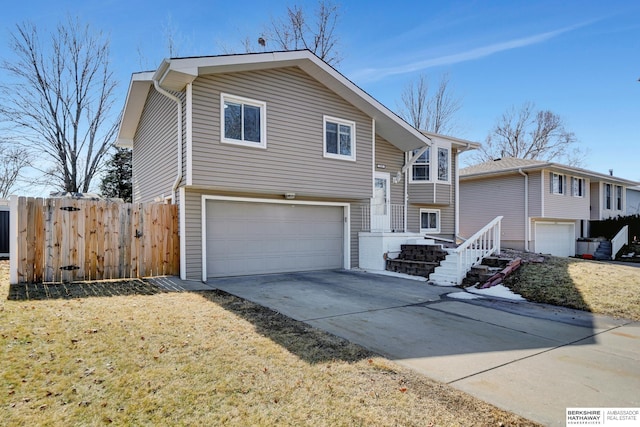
(484, 199)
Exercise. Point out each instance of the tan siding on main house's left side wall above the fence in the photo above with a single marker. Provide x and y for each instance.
(154, 149)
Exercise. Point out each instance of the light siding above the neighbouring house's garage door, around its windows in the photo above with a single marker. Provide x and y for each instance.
(565, 206)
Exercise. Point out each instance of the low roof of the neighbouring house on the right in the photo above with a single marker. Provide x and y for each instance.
(510, 165)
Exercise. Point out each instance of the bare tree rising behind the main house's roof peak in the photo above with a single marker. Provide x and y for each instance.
(299, 31)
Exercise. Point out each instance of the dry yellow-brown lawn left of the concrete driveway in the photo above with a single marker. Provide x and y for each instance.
(156, 358)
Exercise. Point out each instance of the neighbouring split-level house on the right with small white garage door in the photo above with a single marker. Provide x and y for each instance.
(546, 206)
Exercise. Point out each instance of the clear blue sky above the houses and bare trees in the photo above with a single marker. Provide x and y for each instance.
(579, 59)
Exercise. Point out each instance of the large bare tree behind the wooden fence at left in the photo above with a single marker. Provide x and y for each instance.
(59, 99)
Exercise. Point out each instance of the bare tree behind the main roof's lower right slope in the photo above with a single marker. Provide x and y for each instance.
(434, 113)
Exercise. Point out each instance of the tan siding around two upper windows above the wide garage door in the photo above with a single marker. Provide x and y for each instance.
(293, 160)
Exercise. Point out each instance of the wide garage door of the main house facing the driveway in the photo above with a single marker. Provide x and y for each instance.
(245, 238)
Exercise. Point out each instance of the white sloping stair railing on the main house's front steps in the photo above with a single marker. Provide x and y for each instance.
(482, 244)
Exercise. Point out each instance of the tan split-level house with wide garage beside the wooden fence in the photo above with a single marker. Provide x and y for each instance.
(279, 163)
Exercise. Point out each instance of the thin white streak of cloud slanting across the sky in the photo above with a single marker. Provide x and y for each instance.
(374, 74)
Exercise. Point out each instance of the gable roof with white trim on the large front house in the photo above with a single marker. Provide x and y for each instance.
(174, 74)
